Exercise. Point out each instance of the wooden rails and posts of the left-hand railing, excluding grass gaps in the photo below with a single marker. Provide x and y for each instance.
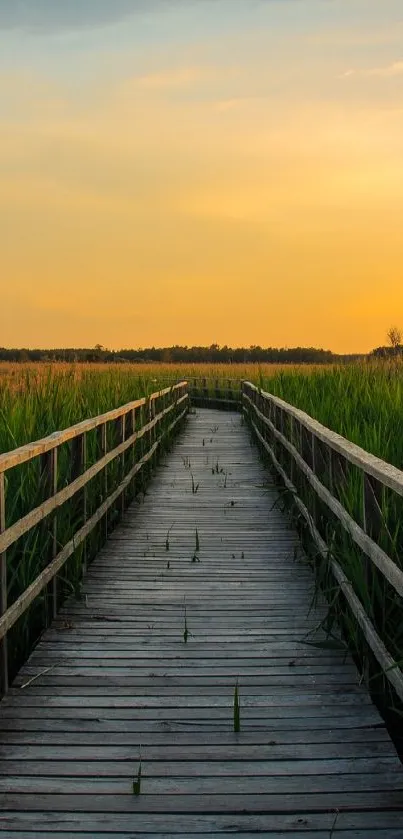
(151, 420)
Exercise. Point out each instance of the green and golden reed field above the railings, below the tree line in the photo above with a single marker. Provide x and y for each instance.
(363, 402)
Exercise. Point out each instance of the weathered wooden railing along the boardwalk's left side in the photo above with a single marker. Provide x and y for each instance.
(123, 442)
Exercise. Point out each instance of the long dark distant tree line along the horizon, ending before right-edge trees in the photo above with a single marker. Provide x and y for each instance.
(177, 354)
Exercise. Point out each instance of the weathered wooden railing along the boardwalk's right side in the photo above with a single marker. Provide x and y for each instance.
(318, 467)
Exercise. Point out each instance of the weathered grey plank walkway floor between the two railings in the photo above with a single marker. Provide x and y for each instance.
(114, 676)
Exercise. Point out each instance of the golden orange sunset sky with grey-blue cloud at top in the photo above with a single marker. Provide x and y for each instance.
(201, 171)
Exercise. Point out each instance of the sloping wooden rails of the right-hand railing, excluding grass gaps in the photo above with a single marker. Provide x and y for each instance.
(296, 443)
